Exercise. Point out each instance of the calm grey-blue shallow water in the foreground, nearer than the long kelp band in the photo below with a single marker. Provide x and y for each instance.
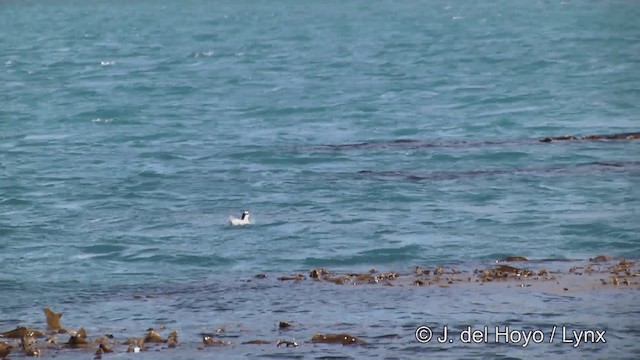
(385, 317)
